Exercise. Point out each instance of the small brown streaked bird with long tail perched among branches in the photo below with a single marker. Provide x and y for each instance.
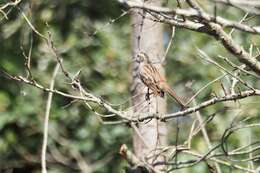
(154, 80)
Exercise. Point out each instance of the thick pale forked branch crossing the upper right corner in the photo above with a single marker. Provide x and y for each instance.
(207, 24)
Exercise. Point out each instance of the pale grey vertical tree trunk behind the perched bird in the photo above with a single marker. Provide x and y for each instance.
(147, 37)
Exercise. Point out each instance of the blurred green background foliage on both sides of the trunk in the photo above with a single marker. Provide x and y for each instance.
(104, 59)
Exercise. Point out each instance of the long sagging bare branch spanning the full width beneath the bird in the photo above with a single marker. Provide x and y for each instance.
(127, 116)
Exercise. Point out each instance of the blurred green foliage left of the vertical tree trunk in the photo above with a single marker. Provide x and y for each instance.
(73, 128)
